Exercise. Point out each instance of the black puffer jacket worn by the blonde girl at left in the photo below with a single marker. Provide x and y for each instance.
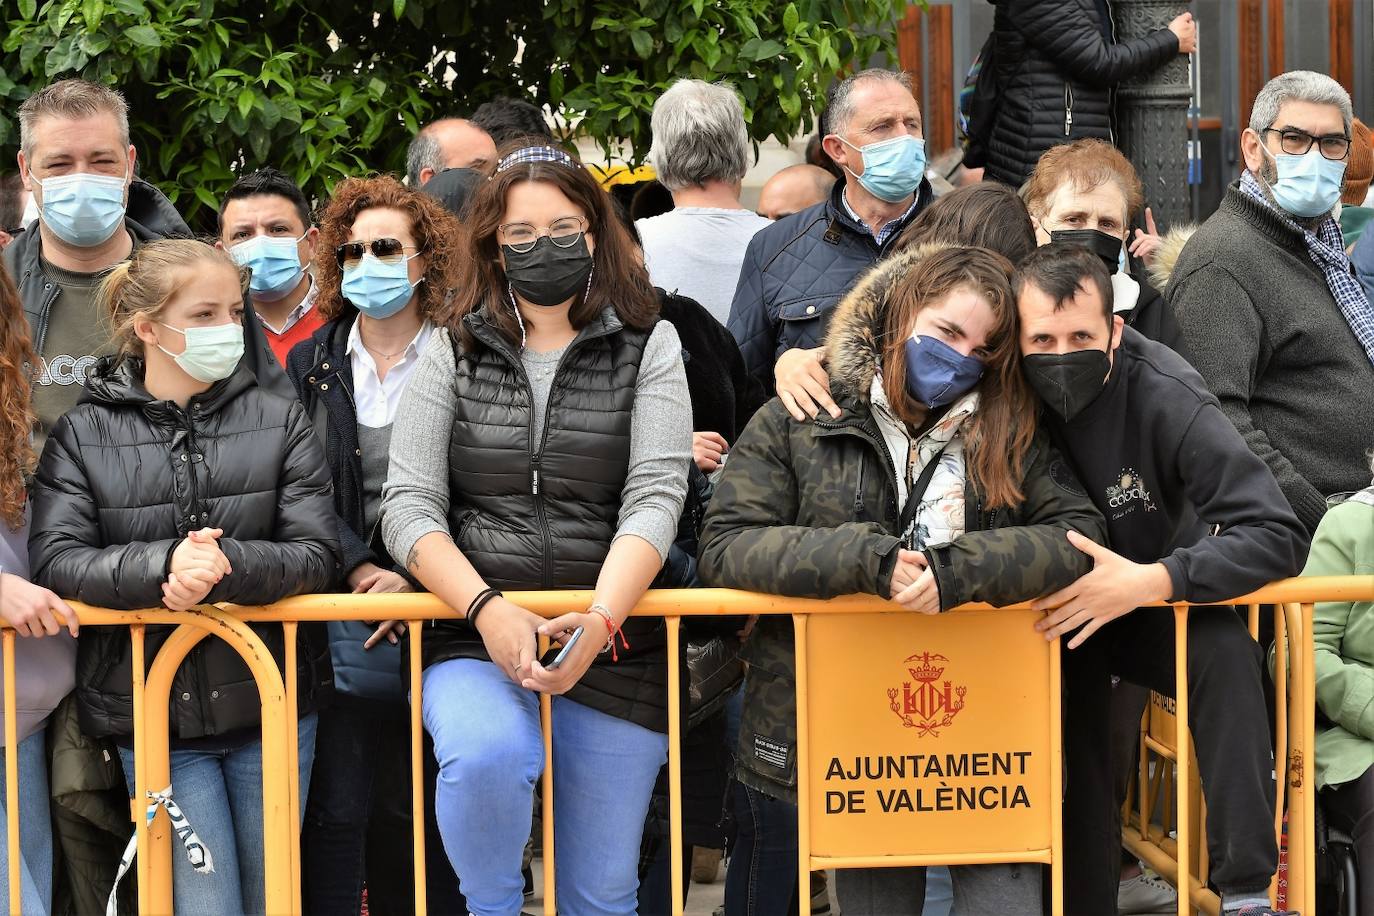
(122, 483)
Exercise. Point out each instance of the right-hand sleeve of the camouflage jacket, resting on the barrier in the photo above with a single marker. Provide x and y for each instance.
(1034, 557)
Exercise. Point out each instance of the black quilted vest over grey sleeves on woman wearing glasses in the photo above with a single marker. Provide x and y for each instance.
(542, 516)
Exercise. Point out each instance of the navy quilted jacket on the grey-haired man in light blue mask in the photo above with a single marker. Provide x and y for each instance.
(795, 274)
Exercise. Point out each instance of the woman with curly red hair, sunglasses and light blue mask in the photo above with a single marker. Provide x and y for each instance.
(388, 257)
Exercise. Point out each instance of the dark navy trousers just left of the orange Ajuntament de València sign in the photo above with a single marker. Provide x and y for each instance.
(762, 880)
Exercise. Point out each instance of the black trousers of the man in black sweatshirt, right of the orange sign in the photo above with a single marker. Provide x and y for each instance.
(1226, 704)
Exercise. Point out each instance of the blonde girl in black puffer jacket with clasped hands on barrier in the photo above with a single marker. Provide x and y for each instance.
(179, 481)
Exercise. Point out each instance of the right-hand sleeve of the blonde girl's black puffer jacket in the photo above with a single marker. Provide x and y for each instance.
(303, 556)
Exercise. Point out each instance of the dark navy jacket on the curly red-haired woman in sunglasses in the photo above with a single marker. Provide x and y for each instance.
(324, 377)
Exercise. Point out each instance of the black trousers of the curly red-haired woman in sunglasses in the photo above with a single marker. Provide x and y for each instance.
(358, 818)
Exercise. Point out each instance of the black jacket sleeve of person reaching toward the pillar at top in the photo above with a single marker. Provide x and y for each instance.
(1066, 34)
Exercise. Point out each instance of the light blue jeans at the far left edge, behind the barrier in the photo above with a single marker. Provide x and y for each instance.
(35, 830)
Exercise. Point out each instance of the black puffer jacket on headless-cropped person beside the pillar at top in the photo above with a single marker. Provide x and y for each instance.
(1057, 67)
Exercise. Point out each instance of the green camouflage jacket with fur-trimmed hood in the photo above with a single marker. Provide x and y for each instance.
(810, 510)
